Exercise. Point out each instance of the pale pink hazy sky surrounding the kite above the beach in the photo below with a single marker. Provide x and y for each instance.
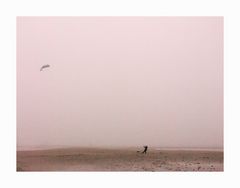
(120, 81)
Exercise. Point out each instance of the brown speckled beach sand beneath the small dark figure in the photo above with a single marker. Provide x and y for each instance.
(92, 159)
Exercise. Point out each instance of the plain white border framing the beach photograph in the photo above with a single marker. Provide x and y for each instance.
(9, 9)
